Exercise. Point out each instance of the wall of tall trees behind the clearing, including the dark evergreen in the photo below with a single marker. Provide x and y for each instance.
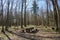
(20, 15)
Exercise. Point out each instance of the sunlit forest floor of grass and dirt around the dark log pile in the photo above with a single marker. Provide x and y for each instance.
(43, 34)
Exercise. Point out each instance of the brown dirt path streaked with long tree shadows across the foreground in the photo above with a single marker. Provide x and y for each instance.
(28, 36)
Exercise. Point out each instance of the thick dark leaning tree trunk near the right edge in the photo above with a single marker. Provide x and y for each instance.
(56, 13)
